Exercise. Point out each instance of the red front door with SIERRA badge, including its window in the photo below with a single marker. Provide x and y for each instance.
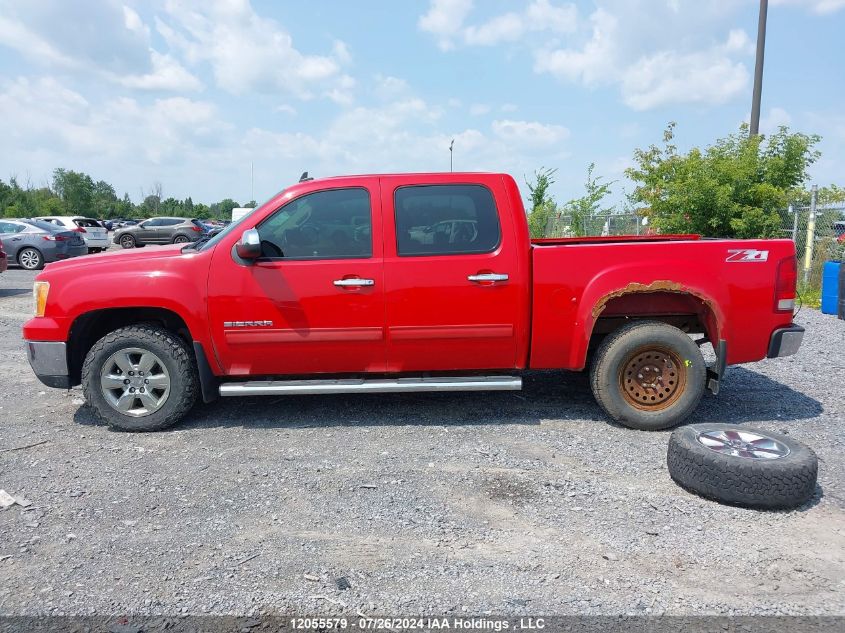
(314, 301)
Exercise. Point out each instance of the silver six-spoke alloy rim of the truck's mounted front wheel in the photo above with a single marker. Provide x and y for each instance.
(135, 382)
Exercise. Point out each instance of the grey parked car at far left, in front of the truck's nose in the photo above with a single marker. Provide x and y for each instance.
(32, 243)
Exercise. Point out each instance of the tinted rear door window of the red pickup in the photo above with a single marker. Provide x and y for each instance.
(445, 220)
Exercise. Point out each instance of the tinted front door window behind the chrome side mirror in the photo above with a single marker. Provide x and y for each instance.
(332, 224)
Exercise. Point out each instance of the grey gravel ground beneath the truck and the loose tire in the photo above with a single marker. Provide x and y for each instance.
(506, 503)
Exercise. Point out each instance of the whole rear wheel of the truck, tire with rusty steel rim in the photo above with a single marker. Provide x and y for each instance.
(648, 375)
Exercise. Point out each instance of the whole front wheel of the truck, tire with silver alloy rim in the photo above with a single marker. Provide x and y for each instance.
(140, 378)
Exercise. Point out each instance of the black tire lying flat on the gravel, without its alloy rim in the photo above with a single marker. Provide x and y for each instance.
(785, 482)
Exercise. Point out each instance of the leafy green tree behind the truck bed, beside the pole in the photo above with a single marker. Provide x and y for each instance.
(733, 188)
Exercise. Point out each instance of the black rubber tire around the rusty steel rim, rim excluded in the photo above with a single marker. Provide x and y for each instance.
(617, 349)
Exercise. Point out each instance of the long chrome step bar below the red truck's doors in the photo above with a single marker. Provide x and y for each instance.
(374, 385)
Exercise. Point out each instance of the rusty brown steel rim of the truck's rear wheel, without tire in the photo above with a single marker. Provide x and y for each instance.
(652, 378)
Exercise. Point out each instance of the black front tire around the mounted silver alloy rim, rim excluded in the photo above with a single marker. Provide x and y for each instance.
(180, 365)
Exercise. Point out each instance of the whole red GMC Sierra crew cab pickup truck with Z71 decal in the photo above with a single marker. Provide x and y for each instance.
(414, 282)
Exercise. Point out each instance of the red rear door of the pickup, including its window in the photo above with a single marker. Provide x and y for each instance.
(451, 275)
